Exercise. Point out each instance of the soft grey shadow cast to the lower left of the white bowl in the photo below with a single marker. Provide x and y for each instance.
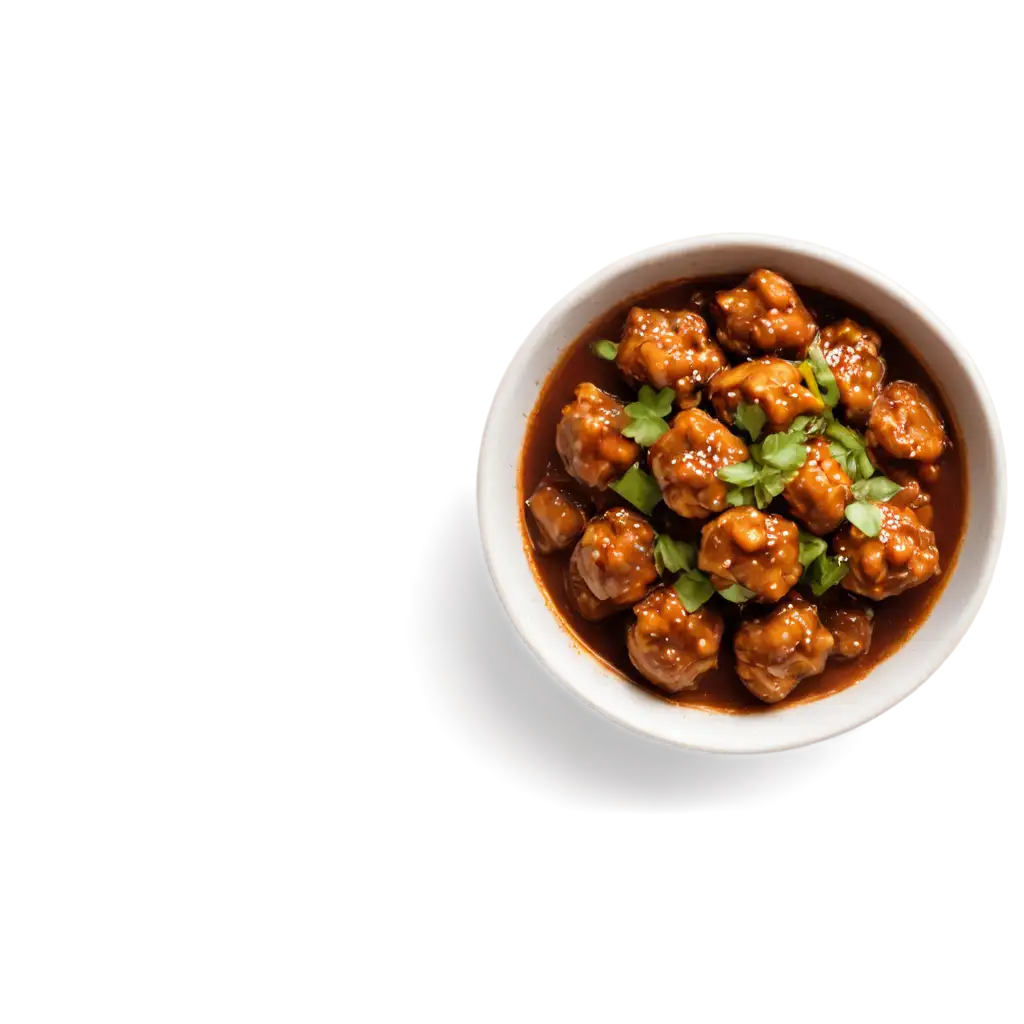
(509, 719)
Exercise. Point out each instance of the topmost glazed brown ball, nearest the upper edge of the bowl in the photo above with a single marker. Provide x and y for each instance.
(764, 315)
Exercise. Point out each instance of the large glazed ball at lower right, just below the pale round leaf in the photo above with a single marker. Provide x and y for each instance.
(904, 554)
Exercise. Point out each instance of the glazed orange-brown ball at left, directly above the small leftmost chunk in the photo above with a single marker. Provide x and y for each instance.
(589, 438)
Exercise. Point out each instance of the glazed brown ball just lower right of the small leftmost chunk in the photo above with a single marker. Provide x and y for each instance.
(613, 566)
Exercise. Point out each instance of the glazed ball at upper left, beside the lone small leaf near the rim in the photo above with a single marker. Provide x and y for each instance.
(669, 349)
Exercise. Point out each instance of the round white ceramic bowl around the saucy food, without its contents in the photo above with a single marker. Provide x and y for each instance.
(888, 298)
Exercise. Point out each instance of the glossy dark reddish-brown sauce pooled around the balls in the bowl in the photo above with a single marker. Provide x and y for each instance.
(895, 619)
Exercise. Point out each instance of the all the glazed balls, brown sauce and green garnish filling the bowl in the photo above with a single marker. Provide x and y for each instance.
(752, 496)
